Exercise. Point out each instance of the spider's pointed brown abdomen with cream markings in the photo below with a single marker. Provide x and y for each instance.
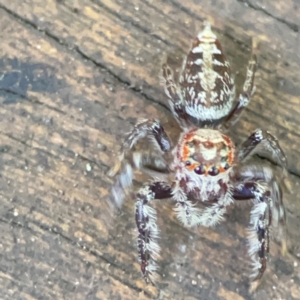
(206, 83)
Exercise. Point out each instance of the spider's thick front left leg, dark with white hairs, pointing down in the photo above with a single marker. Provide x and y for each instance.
(145, 217)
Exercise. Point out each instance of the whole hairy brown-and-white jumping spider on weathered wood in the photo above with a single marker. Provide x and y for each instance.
(204, 164)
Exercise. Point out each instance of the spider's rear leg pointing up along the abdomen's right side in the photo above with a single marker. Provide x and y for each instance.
(245, 96)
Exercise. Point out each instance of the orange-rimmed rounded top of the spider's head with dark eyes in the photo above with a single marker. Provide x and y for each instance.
(207, 152)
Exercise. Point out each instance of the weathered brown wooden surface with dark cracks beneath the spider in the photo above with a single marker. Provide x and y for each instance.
(75, 75)
